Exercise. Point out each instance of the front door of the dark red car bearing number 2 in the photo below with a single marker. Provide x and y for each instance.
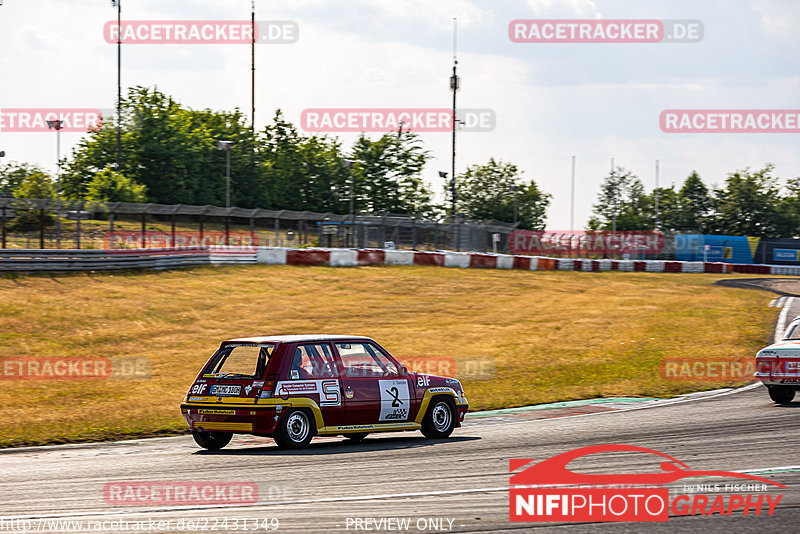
(374, 391)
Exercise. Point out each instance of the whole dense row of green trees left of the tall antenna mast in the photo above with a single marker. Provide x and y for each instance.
(172, 151)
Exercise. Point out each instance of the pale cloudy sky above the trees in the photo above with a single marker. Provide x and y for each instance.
(552, 101)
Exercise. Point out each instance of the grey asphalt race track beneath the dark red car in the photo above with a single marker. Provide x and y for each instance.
(459, 484)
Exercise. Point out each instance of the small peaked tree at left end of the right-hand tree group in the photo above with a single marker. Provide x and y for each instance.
(622, 204)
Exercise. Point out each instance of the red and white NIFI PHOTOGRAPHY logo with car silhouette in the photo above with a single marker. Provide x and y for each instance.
(548, 491)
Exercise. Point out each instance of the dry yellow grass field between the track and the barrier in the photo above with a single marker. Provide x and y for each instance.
(554, 335)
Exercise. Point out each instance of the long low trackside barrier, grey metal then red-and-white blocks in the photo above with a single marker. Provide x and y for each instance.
(63, 260)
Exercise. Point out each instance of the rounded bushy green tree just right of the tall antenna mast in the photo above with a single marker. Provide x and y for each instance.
(487, 192)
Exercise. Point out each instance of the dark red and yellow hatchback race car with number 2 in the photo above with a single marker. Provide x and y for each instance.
(294, 387)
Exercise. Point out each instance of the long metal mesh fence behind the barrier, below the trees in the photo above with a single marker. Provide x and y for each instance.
(31, 223)
